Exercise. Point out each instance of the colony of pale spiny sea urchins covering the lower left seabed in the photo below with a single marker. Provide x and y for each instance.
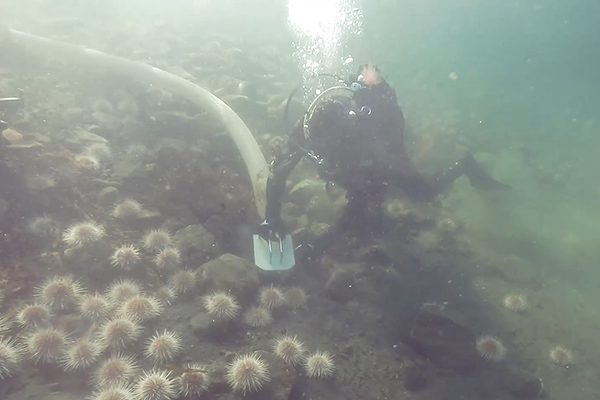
(115, 319)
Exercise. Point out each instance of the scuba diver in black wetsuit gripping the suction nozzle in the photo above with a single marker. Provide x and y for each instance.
(354, 133)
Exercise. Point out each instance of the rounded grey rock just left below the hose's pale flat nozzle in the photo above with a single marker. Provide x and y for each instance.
(230, 273)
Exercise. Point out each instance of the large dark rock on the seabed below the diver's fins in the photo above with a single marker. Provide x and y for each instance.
(443, 339)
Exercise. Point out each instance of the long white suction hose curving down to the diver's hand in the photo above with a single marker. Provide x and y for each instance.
(256, 164)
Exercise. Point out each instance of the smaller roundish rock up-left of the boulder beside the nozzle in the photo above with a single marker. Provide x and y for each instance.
(196, 244)
